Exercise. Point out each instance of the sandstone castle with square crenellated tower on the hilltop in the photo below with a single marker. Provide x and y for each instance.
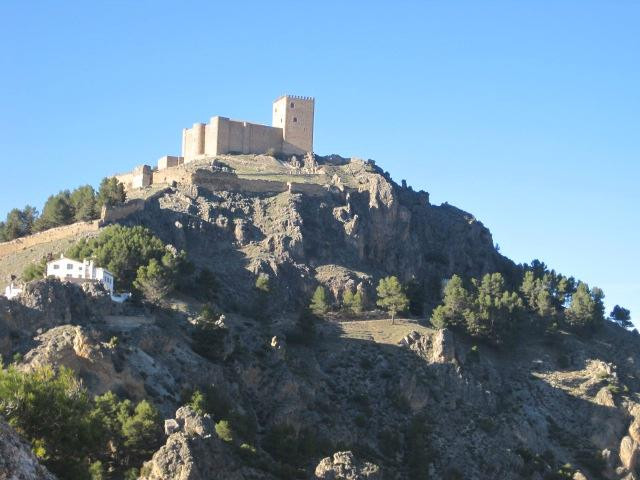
(291, 132)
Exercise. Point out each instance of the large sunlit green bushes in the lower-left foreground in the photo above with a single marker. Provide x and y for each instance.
(75, 437)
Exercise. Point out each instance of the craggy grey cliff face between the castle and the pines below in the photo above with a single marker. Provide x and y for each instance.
(358, 223)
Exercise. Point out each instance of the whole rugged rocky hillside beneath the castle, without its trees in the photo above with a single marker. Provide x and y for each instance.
(349, 398)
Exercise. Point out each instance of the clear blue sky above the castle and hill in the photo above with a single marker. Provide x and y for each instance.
(524, 113)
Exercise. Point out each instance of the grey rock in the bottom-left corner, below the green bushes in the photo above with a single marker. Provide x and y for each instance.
(17, 462)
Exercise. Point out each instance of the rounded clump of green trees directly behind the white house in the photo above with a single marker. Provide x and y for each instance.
(121, 250)
